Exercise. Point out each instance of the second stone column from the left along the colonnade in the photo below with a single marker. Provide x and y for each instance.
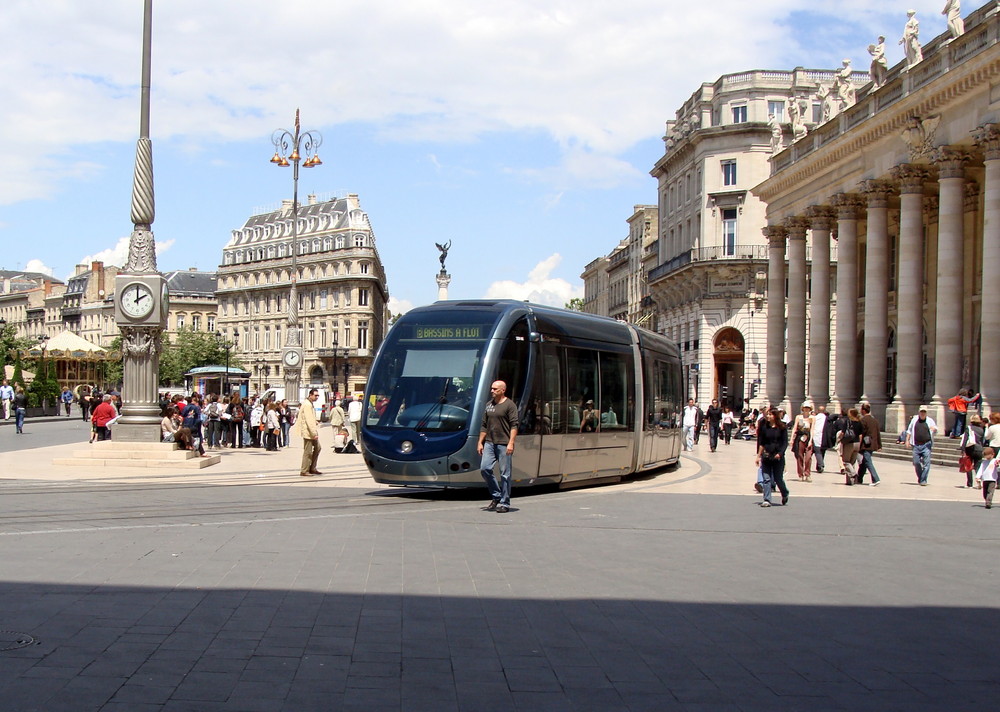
(795, 379)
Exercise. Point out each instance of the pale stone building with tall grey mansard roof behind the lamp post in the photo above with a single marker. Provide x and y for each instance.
(341, 290)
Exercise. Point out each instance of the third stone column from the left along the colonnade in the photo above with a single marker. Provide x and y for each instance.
(820, 221)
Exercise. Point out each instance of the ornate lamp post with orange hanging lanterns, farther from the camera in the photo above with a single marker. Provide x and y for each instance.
(288, 149)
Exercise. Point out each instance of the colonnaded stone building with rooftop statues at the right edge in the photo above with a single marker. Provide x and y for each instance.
(903, 191)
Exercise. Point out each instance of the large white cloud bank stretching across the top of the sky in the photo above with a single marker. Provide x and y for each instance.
(595, 78)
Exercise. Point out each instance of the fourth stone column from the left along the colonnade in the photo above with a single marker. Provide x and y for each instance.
(846, 377)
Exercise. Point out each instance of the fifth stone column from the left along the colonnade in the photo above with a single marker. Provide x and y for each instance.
(876, 320)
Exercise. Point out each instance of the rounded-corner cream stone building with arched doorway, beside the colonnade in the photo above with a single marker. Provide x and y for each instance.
(711, 263)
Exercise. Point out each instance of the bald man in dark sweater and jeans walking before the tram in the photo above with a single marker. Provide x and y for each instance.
(496, 446)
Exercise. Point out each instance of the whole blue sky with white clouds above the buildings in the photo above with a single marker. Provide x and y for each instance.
(524, 132)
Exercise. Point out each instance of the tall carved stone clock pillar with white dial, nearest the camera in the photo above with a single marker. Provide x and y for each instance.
(141, 294)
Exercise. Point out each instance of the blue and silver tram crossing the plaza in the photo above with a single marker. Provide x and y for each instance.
(597, 399)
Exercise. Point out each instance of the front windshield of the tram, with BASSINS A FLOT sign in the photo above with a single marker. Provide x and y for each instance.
(426, 374)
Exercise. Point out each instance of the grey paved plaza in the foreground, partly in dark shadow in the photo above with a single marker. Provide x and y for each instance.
(247, 587)
